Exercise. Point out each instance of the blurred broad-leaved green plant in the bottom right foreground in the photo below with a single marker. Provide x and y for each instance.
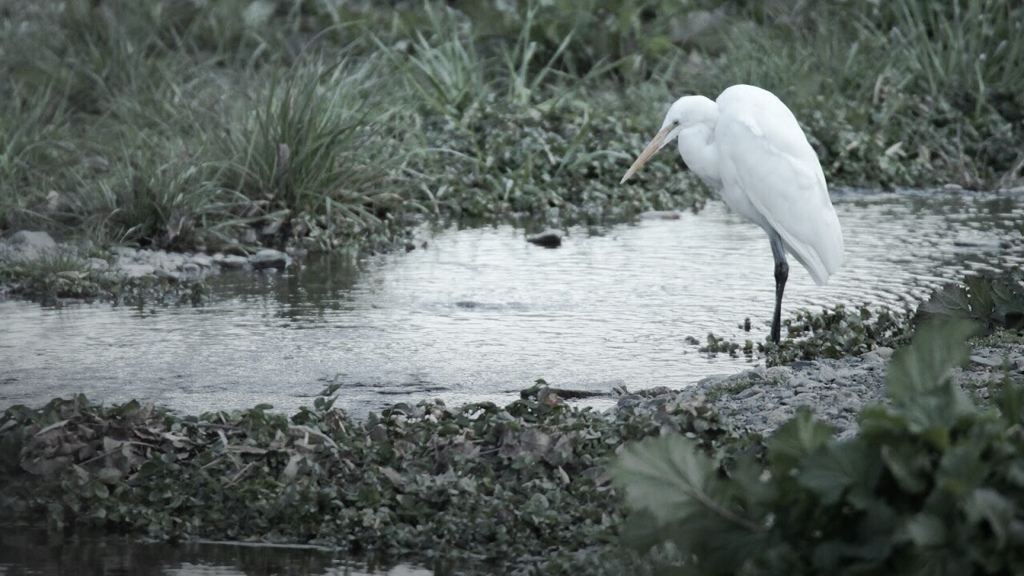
(931, 484)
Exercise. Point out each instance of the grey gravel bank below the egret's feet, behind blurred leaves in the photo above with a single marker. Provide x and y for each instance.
(762, 399)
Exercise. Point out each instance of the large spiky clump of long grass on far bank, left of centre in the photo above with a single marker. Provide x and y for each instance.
(315, 157)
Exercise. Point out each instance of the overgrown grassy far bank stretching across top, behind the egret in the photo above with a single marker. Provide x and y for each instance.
(333, 125)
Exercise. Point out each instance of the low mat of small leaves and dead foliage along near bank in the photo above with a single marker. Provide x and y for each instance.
(518, 485)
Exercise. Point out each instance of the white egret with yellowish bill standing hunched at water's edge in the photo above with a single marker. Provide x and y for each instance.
(750, 148)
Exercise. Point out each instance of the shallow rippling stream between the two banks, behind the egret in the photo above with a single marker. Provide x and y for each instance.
(481, 314)
